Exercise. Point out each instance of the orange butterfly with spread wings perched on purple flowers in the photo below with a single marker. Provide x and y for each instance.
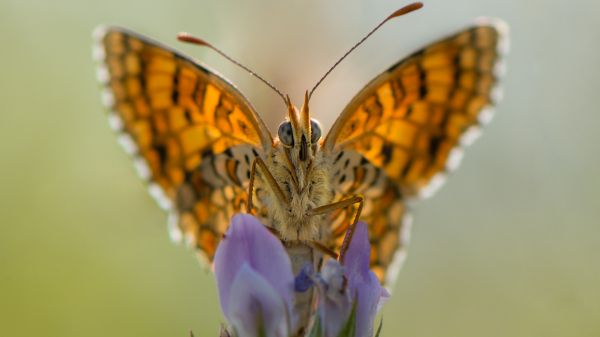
(206, 154)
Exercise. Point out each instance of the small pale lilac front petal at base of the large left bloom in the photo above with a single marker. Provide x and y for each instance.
(255, 307)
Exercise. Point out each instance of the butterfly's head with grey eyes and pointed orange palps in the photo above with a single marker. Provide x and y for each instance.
(299, 132)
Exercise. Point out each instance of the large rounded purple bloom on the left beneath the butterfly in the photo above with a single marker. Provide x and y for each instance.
(255, 280)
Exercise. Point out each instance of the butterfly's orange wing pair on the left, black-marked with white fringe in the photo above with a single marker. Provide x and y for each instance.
(191, 132)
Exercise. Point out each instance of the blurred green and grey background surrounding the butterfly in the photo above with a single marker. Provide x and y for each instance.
(509, 247)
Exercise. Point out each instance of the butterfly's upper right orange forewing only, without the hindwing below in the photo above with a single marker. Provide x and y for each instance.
(411, 120)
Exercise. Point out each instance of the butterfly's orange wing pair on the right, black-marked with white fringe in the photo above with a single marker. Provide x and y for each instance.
(410, 123)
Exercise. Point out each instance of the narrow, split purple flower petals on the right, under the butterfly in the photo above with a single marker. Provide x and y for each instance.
(352, 283)
